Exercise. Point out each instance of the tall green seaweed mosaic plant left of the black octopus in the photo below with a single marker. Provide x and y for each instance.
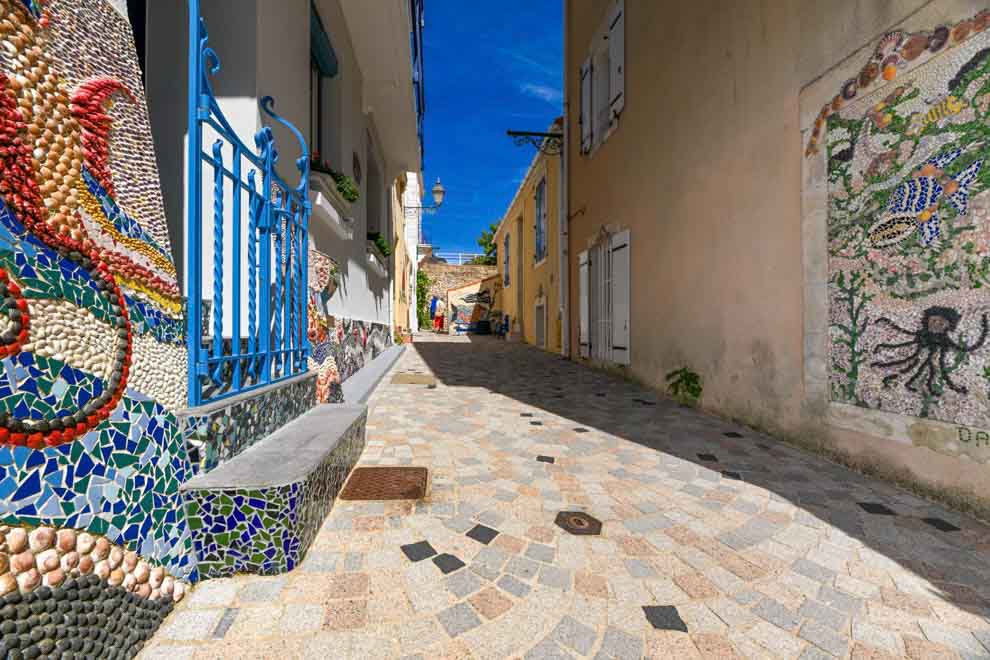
(852, 298)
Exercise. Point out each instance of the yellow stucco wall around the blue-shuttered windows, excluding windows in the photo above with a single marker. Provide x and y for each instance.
(529, 280)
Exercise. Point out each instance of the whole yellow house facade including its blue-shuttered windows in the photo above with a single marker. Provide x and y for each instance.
(529, 242)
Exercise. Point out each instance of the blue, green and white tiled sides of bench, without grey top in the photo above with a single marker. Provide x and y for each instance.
(268, 530)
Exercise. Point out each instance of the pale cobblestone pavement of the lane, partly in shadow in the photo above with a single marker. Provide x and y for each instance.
(714, 544)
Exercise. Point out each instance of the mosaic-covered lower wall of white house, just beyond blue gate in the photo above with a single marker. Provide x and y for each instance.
(339, 347)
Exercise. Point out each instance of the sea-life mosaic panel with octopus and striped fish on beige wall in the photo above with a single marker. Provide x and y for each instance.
(908, 148)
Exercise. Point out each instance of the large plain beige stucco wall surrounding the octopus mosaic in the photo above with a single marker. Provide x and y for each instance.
(705, 170)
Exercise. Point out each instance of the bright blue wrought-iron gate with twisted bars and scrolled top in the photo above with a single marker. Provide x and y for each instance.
(224, 359)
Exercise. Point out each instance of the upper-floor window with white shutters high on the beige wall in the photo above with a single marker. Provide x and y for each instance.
(602, 78)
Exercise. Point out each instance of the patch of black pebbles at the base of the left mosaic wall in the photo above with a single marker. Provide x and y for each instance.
(85, 617)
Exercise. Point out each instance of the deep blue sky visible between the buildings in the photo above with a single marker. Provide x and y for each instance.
(490, 66)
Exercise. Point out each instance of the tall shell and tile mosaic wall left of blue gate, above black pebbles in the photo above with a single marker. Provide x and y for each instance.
(91, 329)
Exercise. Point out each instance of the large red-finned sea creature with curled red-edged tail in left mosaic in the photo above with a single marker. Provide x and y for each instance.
(57, 214)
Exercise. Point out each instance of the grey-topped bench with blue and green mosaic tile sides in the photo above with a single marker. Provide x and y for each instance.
(260, 511)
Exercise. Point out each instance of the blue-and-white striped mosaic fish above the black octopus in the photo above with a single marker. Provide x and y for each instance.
(914, 205)
